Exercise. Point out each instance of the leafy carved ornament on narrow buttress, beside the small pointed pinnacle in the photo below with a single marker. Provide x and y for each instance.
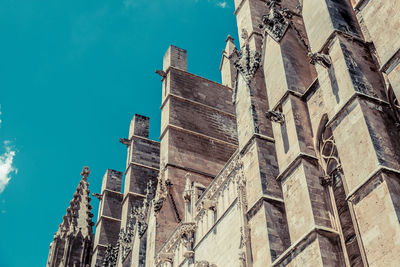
(248, 63)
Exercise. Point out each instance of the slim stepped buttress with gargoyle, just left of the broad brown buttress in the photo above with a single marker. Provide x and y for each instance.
(142, 169)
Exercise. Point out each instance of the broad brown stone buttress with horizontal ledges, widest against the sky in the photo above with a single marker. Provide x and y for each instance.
(200, 147)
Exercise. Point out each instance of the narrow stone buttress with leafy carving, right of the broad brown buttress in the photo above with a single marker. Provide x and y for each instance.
(265, 209)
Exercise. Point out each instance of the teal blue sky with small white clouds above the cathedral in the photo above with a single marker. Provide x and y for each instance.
(72, 75)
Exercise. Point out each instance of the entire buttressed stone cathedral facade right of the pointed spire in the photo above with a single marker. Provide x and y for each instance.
(292, 161)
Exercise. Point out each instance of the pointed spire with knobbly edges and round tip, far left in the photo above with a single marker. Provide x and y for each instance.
(73, 241)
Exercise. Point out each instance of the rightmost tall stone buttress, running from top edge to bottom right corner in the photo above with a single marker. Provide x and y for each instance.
(353, 95)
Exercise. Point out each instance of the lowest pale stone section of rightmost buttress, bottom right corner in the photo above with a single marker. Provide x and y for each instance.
(376, 208)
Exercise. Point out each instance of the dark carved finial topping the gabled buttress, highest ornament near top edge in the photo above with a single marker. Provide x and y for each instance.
(275, 22)
